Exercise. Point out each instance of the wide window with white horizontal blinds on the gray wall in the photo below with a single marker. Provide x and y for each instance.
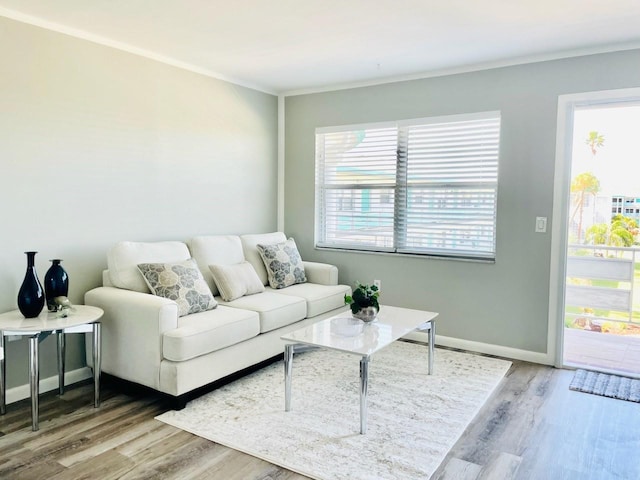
(426, 186)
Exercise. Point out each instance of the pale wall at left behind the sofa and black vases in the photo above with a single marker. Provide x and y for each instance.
(98, 146)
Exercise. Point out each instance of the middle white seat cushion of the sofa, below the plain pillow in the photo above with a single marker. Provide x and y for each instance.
(275, 310)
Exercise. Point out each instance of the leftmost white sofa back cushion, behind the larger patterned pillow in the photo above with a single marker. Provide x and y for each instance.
(123, 259)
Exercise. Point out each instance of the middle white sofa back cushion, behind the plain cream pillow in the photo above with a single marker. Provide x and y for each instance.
(215, 250)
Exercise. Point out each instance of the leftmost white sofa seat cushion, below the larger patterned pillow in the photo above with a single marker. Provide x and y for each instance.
(206, 332)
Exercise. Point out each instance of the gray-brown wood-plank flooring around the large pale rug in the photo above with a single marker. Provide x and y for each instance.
(533, 427)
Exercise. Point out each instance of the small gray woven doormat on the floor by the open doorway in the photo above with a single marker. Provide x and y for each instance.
(614, 386)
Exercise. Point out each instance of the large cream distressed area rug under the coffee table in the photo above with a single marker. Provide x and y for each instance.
(414, 418)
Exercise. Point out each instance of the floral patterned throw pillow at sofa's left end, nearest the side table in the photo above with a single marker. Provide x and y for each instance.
(181, 282)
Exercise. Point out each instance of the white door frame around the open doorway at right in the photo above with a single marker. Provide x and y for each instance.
(561, 196)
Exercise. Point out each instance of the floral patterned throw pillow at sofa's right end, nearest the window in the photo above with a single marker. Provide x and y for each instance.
(284, 264)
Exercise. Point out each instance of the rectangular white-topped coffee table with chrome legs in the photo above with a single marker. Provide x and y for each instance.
(343, 334)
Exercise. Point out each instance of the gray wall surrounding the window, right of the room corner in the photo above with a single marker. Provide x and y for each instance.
(505, 303)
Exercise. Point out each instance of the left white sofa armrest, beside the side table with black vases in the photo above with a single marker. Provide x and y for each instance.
(132, 328)
